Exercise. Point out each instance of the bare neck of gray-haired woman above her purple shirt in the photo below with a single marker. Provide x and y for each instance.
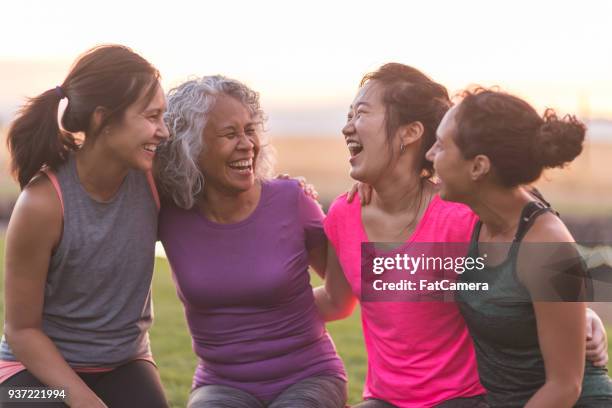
(228, 207)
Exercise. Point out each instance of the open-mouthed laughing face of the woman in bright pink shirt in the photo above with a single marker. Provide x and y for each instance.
(365, 134)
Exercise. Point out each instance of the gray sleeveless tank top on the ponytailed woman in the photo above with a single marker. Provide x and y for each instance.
(97, 306)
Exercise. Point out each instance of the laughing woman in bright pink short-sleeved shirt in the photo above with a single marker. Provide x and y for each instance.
(419, 354)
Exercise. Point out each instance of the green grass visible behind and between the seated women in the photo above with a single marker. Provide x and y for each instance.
(172, 345)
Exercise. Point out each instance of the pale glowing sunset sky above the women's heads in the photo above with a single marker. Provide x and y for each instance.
(306, 58)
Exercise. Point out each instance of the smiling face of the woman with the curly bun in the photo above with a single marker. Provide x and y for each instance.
(449, 164)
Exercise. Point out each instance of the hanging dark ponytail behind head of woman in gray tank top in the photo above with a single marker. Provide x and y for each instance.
(35, 139)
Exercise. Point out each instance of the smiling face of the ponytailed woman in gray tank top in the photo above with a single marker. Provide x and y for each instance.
(134, 139)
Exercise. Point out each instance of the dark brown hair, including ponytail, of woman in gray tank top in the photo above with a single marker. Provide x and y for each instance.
(110, 76)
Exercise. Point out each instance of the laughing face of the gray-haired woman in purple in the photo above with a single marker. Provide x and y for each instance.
(231, 146)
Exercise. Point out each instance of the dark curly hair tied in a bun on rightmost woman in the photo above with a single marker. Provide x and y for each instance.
(519, 143)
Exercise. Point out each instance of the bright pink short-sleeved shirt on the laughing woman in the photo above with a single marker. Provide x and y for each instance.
(419, 353)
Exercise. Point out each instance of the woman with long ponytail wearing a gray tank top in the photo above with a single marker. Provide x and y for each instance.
(80, 242)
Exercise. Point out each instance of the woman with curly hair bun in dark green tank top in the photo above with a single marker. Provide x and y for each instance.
(528, 328)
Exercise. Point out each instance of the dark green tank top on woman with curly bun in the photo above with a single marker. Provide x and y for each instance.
(503, 327)
